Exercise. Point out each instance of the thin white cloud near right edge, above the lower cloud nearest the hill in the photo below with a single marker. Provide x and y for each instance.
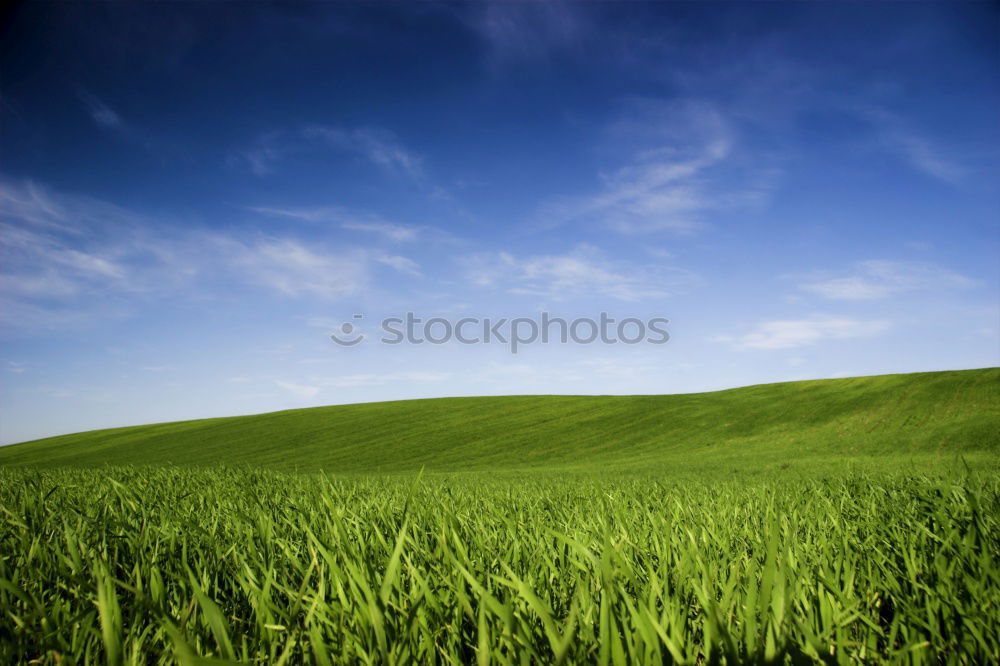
(879, 279)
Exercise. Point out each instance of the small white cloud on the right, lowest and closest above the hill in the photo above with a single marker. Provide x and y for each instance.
(794, 333)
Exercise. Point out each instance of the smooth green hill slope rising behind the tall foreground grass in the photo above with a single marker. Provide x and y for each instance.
(923, 420)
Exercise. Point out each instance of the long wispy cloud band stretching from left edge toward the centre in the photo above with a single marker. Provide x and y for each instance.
(66, 259)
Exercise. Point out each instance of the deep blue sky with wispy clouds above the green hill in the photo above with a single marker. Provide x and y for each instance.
(193, 196)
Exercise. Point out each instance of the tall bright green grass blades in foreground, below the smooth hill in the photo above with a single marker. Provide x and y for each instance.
(155, 565)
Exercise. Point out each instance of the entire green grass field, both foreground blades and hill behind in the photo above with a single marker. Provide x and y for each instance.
(846, 521)
